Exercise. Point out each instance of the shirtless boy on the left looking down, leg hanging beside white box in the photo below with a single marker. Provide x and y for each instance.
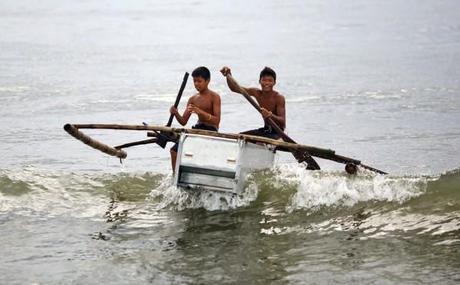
(205, 104)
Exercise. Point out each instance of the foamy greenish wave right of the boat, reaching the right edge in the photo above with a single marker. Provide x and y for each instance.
(373, 206)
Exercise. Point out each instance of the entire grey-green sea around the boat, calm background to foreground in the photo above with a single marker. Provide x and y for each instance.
(378, 81)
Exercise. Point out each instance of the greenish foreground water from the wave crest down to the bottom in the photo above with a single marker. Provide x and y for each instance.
(290, 226)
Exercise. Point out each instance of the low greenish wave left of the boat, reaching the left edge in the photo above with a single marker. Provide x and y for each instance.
(32, 191)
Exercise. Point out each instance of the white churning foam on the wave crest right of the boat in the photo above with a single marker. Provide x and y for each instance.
(319, 188)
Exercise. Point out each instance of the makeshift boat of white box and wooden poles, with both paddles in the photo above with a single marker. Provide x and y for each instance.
(217, 161)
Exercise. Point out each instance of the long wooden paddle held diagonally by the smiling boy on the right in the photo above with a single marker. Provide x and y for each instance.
(300, 155)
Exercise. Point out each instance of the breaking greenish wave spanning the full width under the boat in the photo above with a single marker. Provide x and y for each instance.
(285, 189)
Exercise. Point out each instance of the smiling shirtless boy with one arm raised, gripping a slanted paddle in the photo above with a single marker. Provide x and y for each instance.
(271, 102)
